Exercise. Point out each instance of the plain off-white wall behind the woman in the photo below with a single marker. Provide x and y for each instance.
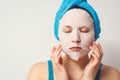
(26, 34)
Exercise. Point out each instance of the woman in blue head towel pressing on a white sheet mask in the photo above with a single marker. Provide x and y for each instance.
(77, 27)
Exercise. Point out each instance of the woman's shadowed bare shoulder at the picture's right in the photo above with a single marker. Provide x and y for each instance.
(109, 73)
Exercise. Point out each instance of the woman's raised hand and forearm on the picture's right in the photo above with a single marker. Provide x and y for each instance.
(94, 63)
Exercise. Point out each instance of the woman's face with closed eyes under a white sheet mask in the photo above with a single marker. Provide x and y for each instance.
(76, 33)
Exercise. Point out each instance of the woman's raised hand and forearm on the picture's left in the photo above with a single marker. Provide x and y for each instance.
(60, 72)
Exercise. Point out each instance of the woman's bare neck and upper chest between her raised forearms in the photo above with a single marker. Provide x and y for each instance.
(75, 67)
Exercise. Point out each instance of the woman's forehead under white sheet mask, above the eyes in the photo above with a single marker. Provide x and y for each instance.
(76, 17)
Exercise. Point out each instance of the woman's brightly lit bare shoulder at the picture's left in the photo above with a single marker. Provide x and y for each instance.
(38, 71)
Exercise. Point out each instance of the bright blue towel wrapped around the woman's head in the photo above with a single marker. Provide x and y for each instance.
(68, 4)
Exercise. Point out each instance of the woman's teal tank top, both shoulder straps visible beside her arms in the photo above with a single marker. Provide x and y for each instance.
(51, 75)
